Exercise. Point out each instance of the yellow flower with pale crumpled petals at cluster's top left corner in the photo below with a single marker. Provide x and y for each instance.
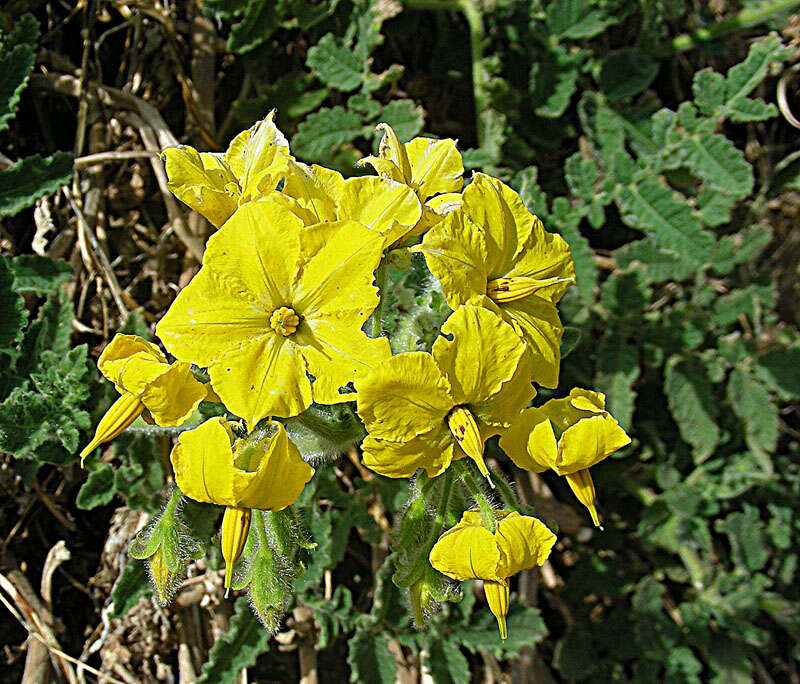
(214, 185)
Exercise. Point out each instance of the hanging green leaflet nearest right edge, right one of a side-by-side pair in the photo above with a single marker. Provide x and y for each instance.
(753, 404)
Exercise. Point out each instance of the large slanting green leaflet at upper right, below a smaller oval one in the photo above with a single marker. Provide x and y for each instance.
(655, 210)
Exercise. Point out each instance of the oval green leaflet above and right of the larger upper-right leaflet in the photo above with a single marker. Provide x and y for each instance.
(718, 163)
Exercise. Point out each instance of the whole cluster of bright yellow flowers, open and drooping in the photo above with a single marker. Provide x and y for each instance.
(277, 316)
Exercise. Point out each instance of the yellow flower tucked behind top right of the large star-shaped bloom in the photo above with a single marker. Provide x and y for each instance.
(384, 205)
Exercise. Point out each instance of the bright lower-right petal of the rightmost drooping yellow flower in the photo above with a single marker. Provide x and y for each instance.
(588, 442)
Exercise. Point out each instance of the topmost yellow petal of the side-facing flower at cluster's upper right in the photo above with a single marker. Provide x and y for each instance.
(507, 224)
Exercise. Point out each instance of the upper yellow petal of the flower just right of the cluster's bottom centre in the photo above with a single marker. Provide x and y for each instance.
(480, 362)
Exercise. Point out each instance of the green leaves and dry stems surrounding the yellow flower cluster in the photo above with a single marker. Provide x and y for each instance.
(658, 153)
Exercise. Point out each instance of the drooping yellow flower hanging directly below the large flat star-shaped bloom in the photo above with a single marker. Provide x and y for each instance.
(264, 471)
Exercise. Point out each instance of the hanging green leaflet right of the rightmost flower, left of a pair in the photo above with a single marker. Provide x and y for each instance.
(691, 400)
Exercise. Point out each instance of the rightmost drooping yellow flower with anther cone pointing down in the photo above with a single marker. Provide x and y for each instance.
(569, 436)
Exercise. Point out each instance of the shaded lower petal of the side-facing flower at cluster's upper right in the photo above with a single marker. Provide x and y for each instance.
(536, 319)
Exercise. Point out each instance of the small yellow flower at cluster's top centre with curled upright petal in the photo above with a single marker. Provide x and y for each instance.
(432, 168)
